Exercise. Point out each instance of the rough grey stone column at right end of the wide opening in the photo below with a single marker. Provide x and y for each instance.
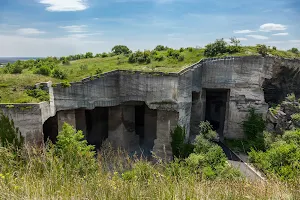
(166, 121)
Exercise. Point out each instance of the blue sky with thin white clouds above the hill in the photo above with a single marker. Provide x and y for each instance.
(64, 27)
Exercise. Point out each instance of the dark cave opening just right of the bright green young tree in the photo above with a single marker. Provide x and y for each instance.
(96, 126)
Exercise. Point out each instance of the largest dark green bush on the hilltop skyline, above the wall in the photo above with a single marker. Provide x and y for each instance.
(216, 48)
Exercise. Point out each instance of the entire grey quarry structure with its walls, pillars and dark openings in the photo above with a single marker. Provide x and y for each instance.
(137, 110)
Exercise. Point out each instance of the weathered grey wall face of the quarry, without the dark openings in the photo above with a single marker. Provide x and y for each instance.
(243, 76)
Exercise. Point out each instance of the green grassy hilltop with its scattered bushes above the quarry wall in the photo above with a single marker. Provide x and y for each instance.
(16, 79)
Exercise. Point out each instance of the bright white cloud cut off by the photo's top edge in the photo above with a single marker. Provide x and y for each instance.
(64, 5)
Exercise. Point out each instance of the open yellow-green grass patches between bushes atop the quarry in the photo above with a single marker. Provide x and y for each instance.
(12, 87)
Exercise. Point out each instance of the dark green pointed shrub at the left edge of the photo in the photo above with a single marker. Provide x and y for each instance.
(9, 135)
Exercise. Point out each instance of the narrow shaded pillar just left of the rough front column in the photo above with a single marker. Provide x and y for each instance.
(150, 121)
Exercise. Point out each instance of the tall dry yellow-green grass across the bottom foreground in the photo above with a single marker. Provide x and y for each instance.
(38, 174)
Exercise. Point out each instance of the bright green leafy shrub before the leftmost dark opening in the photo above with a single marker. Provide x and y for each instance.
(74, 151)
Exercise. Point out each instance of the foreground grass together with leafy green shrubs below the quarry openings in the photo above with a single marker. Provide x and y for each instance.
(70, 170)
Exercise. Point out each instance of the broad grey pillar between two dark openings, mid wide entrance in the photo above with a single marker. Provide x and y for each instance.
(121, 127)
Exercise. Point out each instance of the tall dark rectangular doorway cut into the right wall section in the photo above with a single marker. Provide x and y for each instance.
(216, 109)
